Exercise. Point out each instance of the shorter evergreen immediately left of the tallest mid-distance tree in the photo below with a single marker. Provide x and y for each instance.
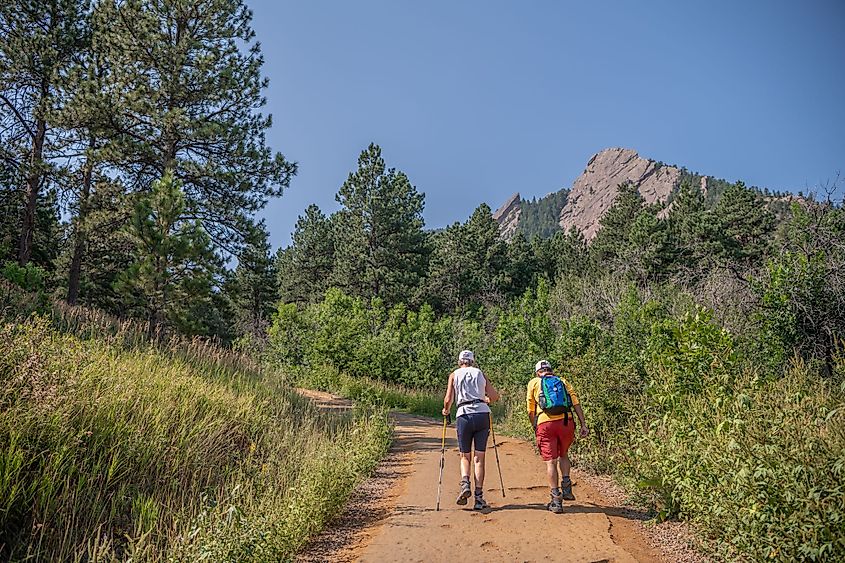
(305, 268)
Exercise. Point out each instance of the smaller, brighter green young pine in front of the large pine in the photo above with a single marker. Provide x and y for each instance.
(173, 274)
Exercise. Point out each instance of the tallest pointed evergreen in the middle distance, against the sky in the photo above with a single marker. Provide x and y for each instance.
(381, 248)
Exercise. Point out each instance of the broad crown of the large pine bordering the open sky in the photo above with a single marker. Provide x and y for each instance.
(188, 76)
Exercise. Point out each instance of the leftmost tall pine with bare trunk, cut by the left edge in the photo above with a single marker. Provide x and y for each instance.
(40, 38)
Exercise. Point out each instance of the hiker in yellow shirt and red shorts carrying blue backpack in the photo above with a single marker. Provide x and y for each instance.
(554, 433)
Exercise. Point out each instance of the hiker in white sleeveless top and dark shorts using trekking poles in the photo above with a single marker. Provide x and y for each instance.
(470, 390)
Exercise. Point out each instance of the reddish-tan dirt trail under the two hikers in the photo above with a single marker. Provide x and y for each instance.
(392, 517)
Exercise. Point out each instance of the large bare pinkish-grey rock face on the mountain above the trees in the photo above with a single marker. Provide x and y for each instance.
(594, 191)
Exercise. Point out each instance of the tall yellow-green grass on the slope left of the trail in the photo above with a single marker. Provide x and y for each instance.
(113, 445)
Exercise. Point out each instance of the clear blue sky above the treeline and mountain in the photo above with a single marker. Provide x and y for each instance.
(477, 100)
